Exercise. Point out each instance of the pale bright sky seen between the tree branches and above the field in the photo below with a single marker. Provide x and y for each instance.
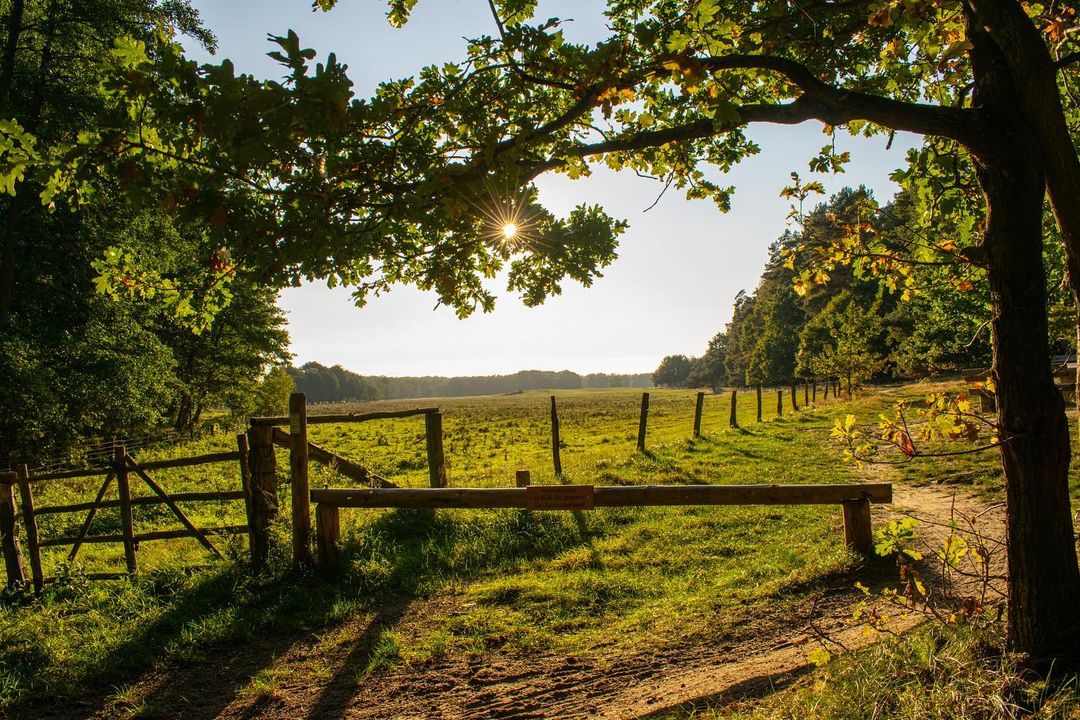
(681, 264)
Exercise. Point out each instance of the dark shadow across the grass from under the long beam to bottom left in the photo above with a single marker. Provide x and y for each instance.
(220, 633)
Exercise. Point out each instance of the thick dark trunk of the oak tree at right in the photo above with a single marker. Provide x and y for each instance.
(1044, 577)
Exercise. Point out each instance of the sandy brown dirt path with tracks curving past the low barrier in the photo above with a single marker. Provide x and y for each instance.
(317, 678)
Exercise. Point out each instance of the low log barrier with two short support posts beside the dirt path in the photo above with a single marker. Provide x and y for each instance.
(856, 500)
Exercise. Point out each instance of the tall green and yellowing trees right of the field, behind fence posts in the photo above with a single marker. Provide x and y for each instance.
(861, 321)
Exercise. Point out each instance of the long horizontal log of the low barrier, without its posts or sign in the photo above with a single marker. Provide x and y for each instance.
(612, 496)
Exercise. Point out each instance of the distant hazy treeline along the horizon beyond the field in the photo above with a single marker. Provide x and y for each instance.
(336, 385)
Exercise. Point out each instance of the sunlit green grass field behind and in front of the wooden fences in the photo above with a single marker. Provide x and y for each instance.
(610, 580)
